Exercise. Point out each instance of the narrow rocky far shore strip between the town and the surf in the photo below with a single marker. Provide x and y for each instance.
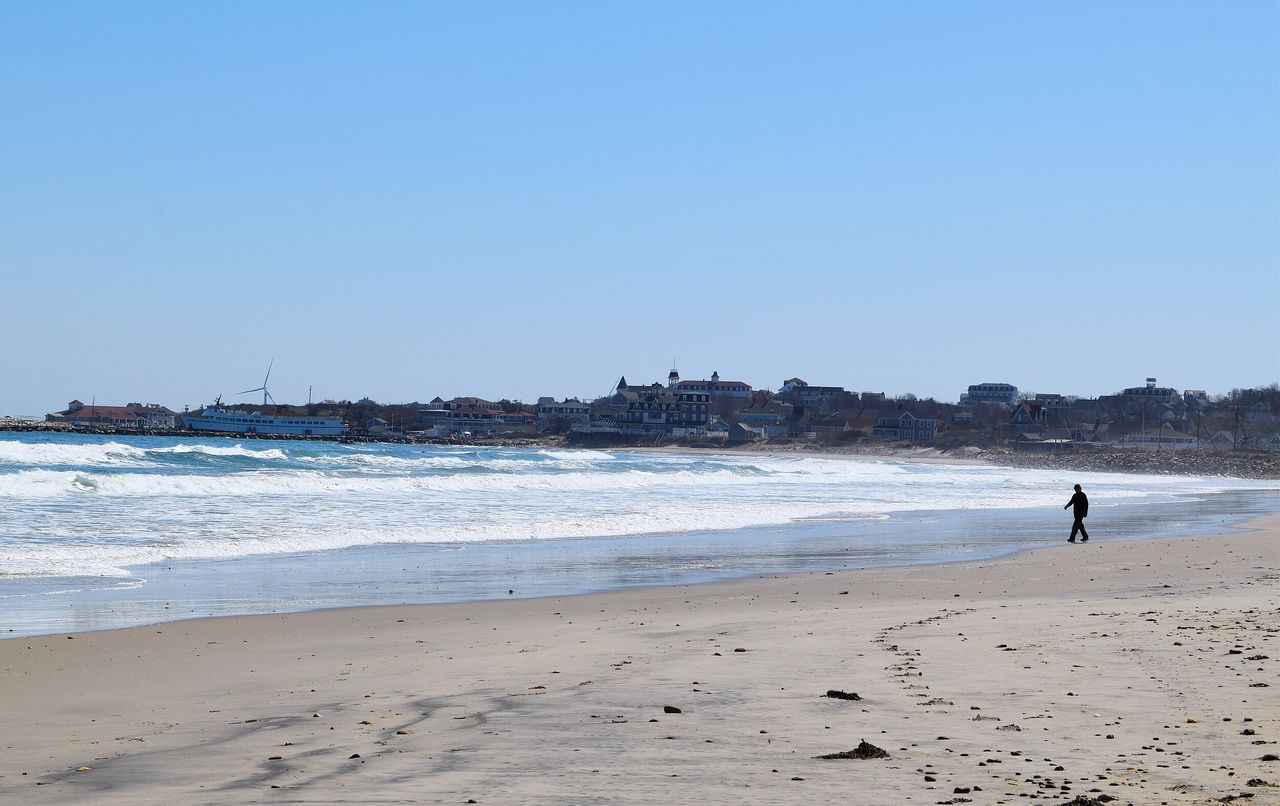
(1186, 462)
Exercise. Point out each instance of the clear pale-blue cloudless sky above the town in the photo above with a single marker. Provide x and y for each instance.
(403, 200)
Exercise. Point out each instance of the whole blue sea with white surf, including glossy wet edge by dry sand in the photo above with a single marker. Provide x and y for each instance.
(113, 526)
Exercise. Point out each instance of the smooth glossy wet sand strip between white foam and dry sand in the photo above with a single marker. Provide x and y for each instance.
(175, 592)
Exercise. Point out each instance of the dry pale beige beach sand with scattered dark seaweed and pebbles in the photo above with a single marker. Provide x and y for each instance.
(1145, 672)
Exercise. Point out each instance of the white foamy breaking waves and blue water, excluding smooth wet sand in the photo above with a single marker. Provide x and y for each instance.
(97, 509)
